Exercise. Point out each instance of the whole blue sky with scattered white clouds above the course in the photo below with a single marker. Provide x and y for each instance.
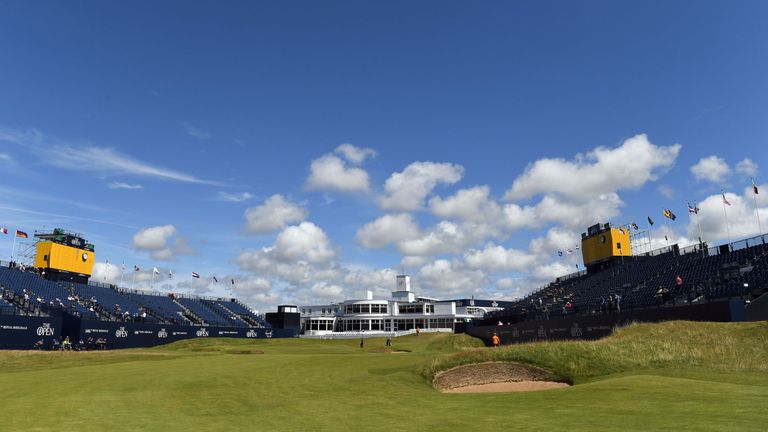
(310, 151)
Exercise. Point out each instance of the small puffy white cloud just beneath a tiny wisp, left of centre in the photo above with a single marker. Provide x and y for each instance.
(330, 172)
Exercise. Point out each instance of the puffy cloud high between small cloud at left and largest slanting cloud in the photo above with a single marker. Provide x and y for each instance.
(406, 190)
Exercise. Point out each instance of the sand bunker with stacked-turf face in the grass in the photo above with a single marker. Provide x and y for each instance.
(495, 377)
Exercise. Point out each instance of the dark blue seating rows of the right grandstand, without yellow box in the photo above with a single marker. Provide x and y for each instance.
(736, 271)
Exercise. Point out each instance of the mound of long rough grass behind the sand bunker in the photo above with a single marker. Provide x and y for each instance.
(674, 344)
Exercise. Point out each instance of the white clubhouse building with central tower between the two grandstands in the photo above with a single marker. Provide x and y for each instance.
(403, 312)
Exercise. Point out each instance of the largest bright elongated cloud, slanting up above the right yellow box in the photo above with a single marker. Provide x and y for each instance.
(601, 171)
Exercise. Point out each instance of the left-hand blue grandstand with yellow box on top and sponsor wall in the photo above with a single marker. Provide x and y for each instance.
(54, 298)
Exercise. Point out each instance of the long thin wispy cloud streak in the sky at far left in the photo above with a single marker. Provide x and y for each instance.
(80, 157)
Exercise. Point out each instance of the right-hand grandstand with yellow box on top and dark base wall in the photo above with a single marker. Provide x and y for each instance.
(724, 283)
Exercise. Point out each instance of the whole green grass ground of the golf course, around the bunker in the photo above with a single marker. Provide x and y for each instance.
(670, 376)
